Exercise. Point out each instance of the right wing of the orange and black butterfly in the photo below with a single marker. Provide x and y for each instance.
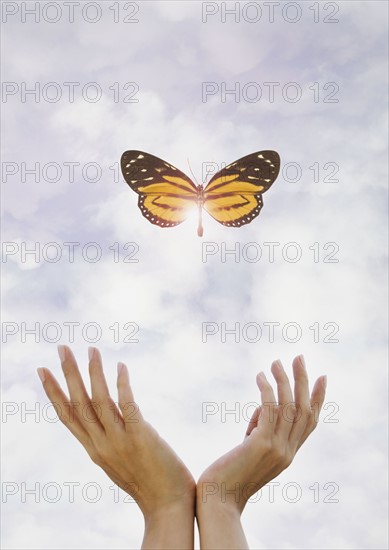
(233, 196)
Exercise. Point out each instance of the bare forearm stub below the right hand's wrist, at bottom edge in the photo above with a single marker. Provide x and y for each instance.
(220, 527)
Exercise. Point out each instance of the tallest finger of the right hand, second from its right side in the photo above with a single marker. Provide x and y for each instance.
(302, 400)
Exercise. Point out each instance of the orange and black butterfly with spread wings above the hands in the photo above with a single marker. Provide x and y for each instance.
(233, 196)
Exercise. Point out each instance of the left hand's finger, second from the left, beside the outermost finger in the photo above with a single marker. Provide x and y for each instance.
(77, 391)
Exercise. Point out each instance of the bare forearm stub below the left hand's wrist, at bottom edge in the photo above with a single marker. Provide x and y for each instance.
(170, 529)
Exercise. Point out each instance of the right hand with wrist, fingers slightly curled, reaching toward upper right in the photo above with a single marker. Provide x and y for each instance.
(275, 433)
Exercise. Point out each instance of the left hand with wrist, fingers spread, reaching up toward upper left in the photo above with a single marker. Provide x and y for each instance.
(123, 444)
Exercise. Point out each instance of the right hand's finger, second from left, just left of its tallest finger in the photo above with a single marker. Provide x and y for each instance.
(286, 413)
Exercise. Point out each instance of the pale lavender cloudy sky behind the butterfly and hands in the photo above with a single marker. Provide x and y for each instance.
(199, 84)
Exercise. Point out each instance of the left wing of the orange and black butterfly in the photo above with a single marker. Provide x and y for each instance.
(165, 193)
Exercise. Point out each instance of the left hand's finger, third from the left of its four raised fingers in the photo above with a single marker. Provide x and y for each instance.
(104, 405)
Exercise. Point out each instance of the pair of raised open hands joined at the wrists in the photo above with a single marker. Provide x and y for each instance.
(138, 460)
